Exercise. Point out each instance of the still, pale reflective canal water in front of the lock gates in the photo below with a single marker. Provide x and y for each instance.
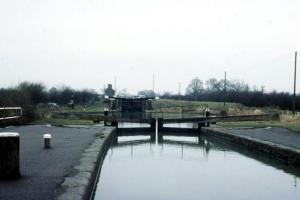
(191, 168)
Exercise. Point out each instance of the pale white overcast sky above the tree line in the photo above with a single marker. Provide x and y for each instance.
(86, 43)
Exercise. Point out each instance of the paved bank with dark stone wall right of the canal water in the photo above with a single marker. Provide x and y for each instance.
(277, 143)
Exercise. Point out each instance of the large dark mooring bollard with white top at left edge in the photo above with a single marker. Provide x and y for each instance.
(9, 155)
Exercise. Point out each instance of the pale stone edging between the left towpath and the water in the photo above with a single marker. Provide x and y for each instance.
(79, 184)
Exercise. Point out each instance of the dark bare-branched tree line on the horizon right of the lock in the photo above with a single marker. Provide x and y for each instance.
(235, 91)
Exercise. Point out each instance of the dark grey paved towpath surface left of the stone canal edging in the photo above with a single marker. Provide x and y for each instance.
(42, 170)
